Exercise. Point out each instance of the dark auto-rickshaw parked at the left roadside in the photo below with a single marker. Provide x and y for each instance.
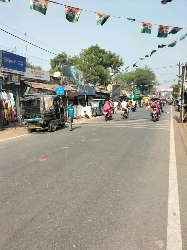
(42, 111)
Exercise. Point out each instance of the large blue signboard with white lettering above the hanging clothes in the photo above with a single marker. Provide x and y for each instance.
(12, 63)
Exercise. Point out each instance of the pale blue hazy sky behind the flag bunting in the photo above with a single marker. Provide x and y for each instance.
(54, 33)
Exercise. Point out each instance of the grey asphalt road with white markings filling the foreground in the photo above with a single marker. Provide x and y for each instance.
(104, 186)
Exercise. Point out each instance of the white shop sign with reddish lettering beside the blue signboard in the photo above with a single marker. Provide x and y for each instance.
(37, 75)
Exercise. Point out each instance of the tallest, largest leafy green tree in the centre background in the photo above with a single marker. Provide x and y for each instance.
(97, 63)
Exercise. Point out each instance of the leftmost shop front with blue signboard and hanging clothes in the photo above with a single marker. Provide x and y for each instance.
(12, 68)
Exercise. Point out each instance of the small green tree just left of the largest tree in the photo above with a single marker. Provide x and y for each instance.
(57, 62)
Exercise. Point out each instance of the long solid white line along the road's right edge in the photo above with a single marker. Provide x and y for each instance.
(174, 239)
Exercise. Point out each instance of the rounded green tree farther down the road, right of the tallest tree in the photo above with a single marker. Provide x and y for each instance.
(143, 79)
